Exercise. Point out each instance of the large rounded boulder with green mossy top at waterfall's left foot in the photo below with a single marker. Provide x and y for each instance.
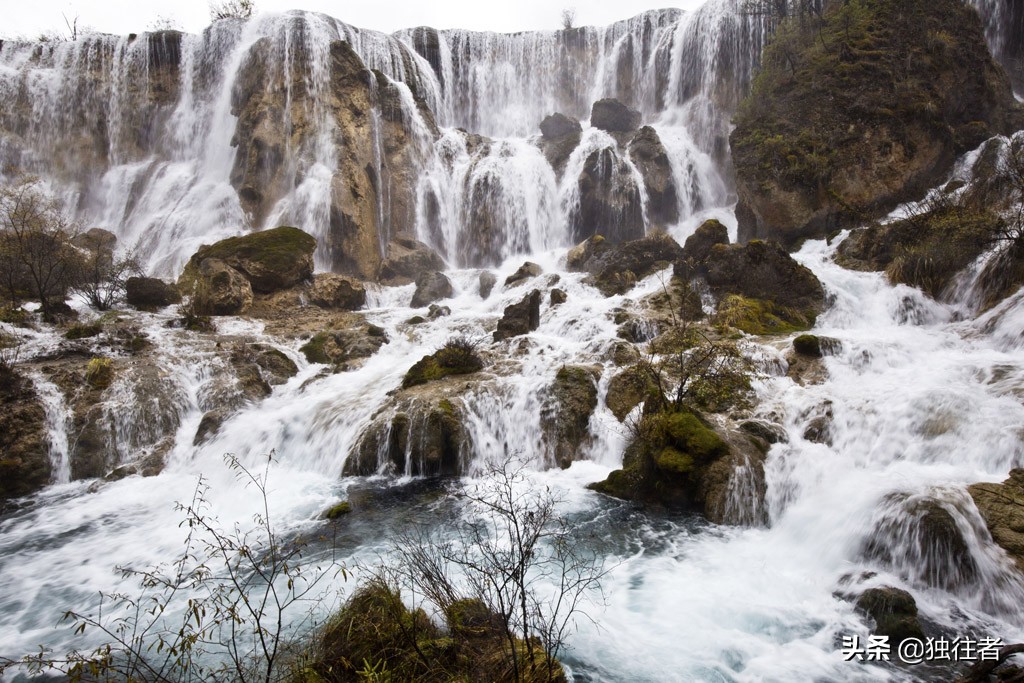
(271, 261)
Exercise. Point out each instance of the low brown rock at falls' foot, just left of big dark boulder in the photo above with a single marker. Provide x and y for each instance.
(617, 270)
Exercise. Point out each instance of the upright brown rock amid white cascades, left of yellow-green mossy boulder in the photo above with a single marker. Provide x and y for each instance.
(569, 404)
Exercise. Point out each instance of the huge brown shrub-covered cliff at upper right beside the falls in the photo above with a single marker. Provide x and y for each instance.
(862, 111)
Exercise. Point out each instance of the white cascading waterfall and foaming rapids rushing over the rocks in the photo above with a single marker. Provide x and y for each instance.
(923, 397)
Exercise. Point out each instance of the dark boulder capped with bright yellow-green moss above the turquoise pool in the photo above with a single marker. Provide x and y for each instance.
(666, 461)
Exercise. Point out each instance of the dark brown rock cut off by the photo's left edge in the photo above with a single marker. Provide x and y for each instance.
(25, 464)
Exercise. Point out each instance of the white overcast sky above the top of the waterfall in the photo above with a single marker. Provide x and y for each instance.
(30, 18)
